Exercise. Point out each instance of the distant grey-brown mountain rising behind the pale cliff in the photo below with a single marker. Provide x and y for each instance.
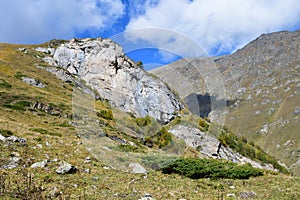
(262, 87)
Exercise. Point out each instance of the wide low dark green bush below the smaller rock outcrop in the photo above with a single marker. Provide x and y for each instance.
(208, 168)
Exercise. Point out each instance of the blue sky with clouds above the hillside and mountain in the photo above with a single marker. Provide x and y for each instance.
(161, 31)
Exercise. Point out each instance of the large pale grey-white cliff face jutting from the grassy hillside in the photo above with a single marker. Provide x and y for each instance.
(104, 67)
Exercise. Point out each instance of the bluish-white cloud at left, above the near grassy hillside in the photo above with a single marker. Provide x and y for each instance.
(33, 21)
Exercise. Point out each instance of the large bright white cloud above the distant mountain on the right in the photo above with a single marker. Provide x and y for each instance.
(218, 25)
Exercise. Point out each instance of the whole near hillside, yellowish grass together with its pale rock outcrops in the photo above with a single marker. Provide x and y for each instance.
(63, 142)
